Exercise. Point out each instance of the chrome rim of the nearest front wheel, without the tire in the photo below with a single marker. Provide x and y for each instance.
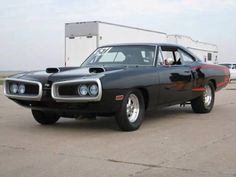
(132, 108)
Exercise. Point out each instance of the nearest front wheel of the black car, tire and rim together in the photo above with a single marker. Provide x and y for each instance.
(131, 115)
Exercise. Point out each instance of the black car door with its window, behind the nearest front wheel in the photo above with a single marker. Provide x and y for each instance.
(175, 78)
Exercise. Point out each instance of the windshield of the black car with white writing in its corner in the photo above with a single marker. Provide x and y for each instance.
(122, 55)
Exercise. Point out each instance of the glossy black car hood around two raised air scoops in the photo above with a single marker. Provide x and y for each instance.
(66, 73)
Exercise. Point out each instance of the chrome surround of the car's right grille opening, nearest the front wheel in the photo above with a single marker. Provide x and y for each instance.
(58, 98)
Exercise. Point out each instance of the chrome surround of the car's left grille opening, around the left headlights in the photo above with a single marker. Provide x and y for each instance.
(22, 97)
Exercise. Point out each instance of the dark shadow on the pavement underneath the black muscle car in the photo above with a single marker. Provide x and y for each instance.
(109, 123)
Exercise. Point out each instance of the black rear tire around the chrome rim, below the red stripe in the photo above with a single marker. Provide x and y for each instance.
(199, 104)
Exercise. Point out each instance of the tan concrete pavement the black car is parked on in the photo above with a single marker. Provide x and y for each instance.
(172, 142)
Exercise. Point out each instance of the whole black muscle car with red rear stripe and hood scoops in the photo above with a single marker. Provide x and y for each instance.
(121, 80)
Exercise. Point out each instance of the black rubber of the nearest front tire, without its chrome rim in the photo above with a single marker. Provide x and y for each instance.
(122, 118)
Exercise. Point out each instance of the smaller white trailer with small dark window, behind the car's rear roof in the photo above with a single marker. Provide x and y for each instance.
(205, 51)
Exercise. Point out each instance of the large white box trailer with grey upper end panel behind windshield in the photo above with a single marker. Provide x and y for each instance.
(82, 38)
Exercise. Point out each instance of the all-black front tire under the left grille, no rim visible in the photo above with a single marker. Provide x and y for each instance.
(45, 118)
